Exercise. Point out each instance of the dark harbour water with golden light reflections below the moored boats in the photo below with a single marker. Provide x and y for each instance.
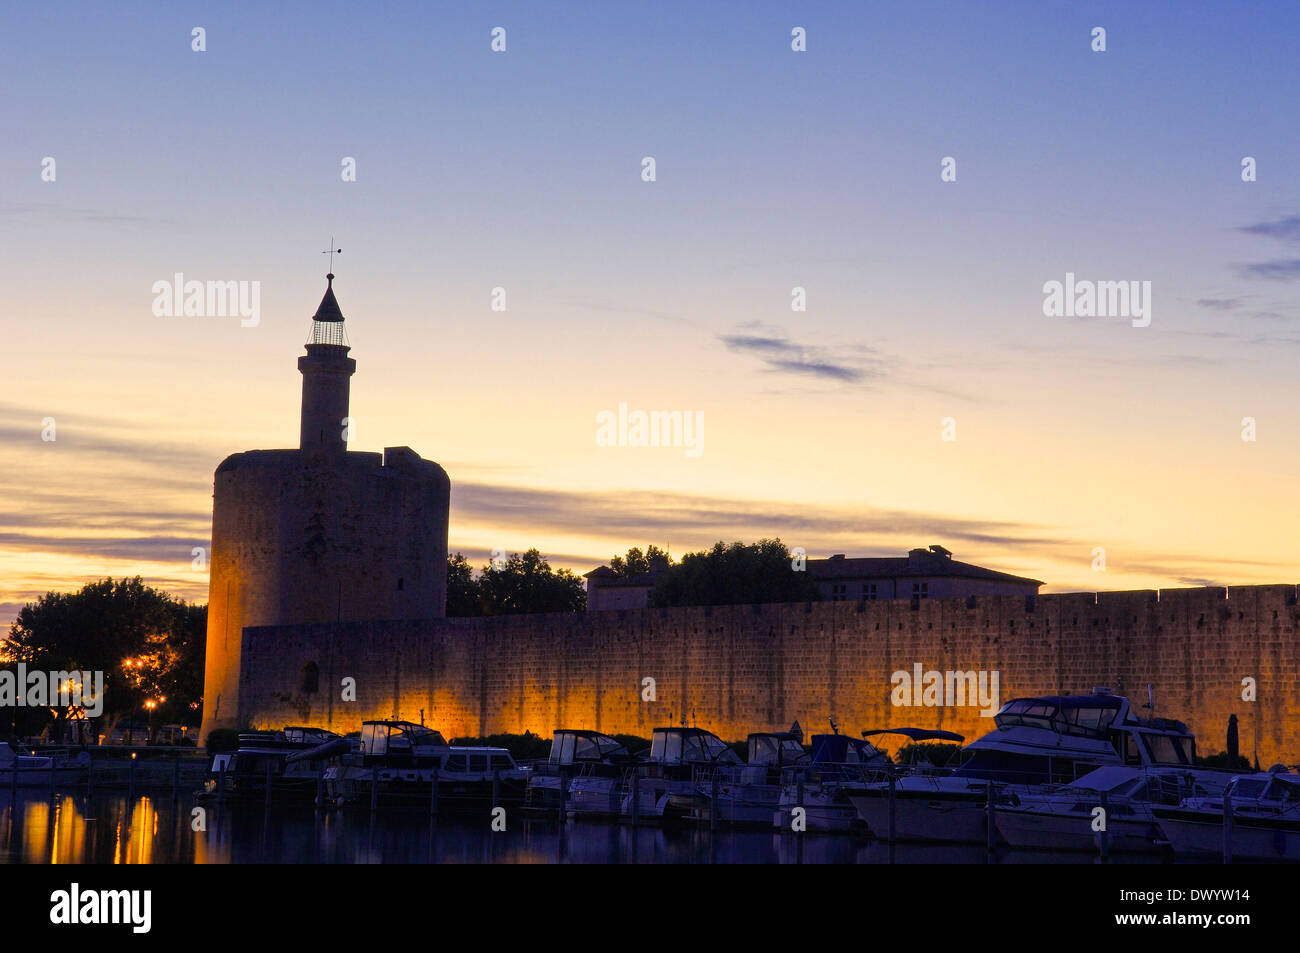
(158, 830)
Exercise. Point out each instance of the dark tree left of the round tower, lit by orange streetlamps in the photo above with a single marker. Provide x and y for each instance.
(149, 644)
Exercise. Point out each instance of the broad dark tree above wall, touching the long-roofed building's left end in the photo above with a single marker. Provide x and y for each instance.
(735, 575)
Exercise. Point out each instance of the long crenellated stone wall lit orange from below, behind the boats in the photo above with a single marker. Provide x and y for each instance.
(743, 669)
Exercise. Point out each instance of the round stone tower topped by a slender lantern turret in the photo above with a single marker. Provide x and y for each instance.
(319, 534)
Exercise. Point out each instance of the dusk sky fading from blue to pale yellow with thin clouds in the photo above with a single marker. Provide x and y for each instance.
(922, 397)
